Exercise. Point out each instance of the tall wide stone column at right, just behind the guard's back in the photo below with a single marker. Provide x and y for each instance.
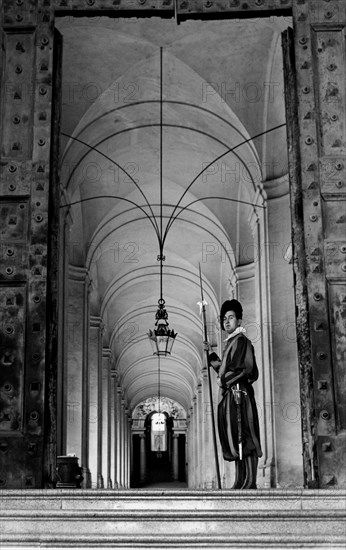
(285, 394)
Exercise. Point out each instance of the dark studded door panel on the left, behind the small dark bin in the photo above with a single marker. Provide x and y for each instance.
(26, 59)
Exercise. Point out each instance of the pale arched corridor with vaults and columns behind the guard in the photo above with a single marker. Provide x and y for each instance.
(166, 114)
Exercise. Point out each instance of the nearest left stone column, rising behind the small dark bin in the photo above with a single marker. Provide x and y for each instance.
(77, 372)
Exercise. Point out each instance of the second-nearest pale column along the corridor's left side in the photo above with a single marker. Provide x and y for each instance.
(95, 405)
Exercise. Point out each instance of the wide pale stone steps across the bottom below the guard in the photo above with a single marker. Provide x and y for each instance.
(172, 519)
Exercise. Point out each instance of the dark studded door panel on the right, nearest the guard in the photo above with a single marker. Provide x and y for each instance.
(319, 230)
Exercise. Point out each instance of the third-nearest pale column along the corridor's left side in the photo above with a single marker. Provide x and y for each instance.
(106, 413)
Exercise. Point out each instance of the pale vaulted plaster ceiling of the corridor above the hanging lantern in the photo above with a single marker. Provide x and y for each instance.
(221, 83)
